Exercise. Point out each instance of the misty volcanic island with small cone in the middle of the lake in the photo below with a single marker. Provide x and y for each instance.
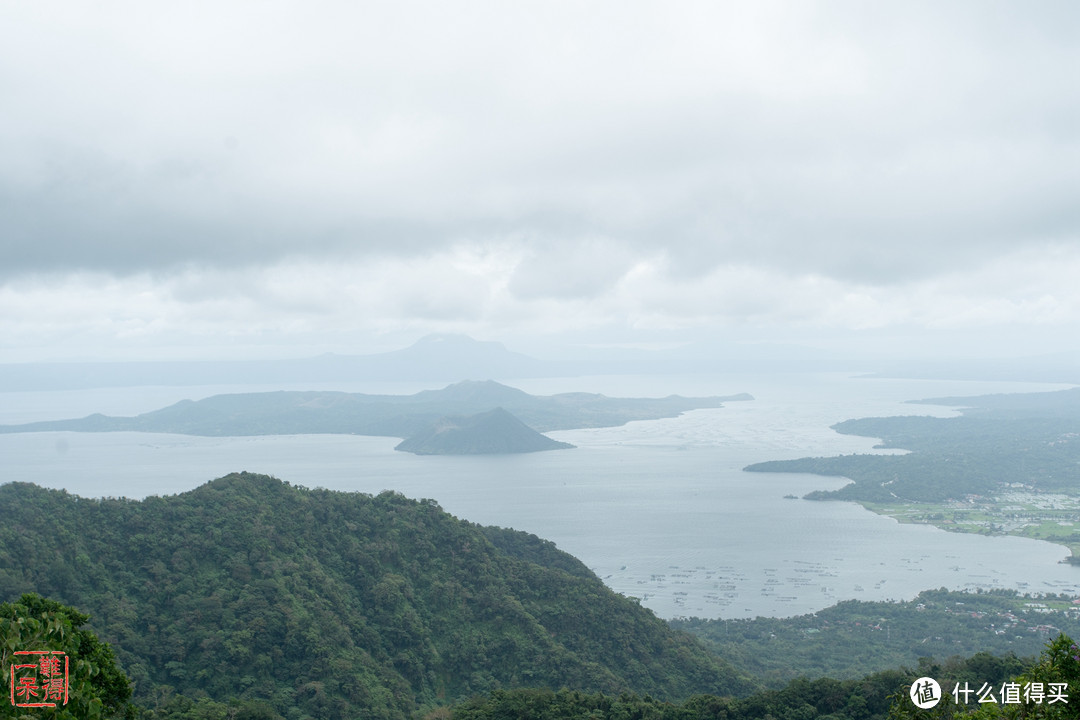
(425, 418)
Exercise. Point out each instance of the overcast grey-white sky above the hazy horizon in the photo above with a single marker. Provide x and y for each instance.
(227, 180)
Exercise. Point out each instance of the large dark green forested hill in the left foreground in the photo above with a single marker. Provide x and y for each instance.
(331, 605)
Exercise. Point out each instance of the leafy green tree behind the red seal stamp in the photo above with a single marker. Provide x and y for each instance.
(97, 687)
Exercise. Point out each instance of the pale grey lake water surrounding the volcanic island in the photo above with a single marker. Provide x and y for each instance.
(660, 510)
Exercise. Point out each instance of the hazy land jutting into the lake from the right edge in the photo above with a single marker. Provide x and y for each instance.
(1010, 465)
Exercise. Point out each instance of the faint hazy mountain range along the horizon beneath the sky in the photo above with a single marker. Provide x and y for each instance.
(444, 359)
